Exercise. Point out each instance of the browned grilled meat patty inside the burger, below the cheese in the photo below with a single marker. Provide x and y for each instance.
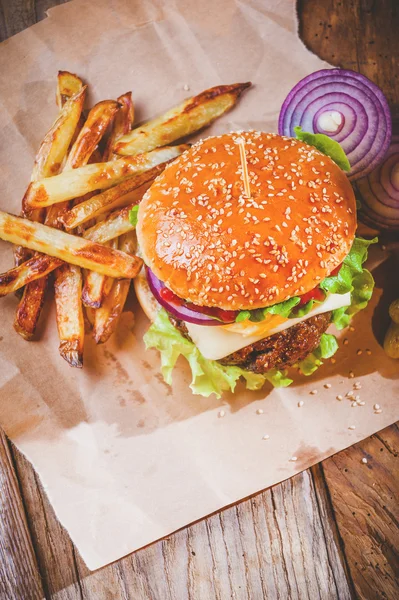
(277, 351)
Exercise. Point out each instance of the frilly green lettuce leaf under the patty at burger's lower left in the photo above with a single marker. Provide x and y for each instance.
(208, 376)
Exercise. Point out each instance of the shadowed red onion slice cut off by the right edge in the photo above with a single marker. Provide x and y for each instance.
(379, 192)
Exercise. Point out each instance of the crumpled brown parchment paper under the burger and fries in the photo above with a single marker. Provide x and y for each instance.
(124, 458)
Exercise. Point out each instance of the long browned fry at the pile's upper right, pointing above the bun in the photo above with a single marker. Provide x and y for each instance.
(178, 122)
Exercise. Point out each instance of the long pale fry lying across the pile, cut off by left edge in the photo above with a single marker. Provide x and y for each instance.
(67, 247)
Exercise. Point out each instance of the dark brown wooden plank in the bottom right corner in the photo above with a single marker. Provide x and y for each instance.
(365, 503)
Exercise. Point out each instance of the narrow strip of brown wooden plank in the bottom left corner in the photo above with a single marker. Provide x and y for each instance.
(19, 573)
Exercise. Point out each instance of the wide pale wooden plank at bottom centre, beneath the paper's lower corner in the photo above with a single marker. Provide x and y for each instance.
(264, 547)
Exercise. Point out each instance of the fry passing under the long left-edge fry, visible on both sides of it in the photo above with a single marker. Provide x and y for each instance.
(114, 226)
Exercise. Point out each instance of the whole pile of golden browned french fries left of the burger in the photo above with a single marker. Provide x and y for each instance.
(74, 230)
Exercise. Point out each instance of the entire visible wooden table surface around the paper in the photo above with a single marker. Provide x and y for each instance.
(328, 533)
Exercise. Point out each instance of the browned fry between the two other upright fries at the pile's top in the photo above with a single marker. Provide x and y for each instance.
(92, 131)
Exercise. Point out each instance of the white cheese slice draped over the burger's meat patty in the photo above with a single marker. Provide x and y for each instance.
(217, 342)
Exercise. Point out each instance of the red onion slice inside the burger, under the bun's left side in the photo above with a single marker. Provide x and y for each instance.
(182, 311)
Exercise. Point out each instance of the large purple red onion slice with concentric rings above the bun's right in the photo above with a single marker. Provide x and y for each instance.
(347, 107)
